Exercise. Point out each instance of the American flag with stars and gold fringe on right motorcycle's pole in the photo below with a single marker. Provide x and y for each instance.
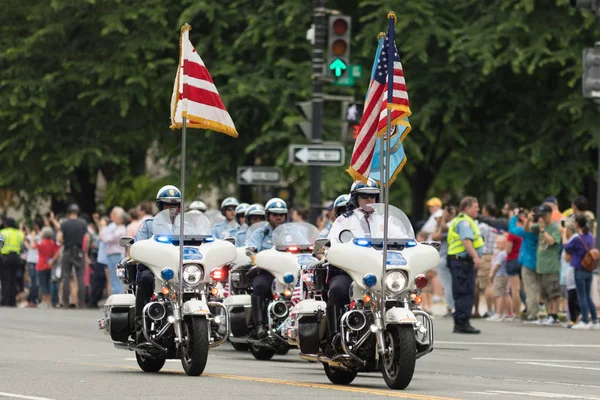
(387, 90)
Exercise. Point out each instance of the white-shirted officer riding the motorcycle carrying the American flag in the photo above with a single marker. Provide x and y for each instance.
(356, 219)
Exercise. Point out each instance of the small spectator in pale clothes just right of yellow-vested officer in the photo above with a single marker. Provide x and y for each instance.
(499, 281)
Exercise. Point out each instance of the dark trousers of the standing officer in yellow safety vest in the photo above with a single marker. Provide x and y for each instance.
(463, 288)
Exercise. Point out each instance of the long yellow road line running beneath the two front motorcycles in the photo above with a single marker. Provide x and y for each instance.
(330, 386)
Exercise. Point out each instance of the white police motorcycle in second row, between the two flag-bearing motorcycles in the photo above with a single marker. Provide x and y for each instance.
(293, 246)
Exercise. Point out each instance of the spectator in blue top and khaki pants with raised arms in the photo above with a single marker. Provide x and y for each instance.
(528, 261)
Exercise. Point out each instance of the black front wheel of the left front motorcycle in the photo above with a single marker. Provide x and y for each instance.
(194, 353)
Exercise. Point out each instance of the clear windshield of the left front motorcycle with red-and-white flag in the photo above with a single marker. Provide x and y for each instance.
(195, 224)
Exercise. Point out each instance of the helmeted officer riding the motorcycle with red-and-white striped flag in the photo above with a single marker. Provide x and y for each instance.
(168, 197)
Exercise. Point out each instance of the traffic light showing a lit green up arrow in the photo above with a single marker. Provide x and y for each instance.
(338, 49)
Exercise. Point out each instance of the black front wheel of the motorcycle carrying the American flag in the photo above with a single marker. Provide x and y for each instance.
(398, 366)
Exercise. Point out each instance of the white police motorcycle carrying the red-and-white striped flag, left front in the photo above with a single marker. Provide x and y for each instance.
(176, 324)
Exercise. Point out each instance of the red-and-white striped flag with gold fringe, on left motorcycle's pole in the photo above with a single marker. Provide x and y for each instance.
(195, 96)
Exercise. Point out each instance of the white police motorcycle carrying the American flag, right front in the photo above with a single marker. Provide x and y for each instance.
(369, 341)
